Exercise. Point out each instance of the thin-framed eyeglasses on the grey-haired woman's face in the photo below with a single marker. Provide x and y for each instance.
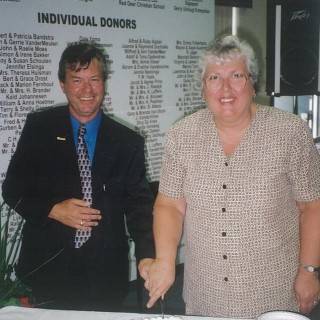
(237, 81)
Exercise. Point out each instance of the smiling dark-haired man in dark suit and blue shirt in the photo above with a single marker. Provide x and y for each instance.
(74, 252)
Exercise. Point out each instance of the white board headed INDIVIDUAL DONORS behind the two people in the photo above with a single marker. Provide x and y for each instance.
(152, 46)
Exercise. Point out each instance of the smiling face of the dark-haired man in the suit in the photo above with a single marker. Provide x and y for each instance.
(84, 90)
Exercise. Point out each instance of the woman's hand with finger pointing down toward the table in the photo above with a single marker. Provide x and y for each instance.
(159, 276)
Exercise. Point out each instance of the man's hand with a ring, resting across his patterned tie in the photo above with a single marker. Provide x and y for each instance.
(75, 213)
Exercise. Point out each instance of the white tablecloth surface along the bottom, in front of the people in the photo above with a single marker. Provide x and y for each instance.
(19, 313)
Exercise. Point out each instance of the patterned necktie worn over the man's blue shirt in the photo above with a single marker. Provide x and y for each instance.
(84, 164)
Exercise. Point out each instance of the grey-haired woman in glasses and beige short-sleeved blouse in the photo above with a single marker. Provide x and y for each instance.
(244, 181)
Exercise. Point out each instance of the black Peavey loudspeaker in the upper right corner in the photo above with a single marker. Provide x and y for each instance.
(293, 47)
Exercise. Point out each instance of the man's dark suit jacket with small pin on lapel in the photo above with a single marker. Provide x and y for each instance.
(44, 171)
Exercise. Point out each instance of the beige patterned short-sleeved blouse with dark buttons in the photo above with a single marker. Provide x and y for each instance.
(241, 224)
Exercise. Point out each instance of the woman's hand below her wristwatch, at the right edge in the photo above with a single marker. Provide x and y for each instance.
(307, 288)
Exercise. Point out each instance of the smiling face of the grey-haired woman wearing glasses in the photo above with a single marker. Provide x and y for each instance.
(228, 90)
